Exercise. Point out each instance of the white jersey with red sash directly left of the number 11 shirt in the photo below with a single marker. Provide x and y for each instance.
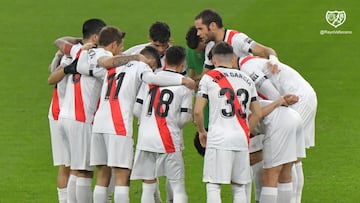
(83, 90)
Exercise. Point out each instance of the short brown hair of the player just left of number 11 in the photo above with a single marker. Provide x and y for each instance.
(109, 34)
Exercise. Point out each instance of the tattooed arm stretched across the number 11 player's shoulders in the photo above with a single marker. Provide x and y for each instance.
(119, 60)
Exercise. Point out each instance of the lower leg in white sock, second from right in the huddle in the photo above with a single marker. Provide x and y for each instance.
(285, 184)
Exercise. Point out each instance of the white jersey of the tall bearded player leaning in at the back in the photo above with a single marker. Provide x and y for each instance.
(240, 42)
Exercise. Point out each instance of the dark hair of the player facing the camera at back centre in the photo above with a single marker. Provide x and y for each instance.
(159, 32)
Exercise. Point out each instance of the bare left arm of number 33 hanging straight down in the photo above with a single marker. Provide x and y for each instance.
(200, 102)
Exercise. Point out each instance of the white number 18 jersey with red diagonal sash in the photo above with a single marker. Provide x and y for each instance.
(165, 110)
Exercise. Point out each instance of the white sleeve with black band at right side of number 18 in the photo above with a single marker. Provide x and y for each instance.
(186, 109)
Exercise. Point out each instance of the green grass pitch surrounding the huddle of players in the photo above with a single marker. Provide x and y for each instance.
(28, 29)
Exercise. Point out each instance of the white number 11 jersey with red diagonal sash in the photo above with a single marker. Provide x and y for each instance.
(117, 100)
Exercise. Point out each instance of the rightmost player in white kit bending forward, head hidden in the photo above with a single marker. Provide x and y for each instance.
(286, 80)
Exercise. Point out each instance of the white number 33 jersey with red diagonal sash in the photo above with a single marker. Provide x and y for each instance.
(229, 92)
